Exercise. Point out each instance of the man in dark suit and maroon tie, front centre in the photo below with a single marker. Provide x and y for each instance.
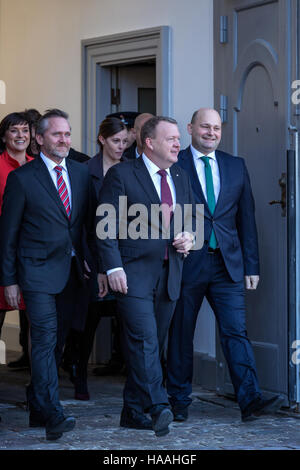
(145, 272)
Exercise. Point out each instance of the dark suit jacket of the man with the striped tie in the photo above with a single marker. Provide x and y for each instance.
(36, 234)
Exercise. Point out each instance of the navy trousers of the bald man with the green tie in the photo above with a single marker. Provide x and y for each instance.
(227, 299)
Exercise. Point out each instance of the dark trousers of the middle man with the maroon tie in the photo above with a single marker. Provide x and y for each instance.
(145, 330)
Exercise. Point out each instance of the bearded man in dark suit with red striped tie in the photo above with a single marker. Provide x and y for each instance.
(46, 206)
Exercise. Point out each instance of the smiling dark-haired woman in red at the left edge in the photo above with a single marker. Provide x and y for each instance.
(14, 140)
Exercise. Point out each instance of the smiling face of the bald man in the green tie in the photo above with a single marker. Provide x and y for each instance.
(206, 131)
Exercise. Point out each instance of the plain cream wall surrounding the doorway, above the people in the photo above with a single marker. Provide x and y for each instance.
(40, 54)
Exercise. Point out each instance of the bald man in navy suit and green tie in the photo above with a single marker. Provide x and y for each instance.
(218, 271)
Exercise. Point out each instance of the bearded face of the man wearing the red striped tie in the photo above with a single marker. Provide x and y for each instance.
(56, 141)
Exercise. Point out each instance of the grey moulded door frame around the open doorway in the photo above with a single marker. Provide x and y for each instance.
(123, 48)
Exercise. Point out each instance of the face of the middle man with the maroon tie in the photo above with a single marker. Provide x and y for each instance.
(165, 146)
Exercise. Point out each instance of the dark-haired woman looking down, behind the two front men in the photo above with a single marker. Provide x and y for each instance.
(112, 139)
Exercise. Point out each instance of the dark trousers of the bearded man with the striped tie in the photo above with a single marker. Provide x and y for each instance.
(50, 318)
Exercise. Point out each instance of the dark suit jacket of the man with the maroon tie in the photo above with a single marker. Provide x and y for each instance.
(142, 258)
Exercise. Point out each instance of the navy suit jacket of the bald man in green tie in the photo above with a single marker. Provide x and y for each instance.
(233, 219)
